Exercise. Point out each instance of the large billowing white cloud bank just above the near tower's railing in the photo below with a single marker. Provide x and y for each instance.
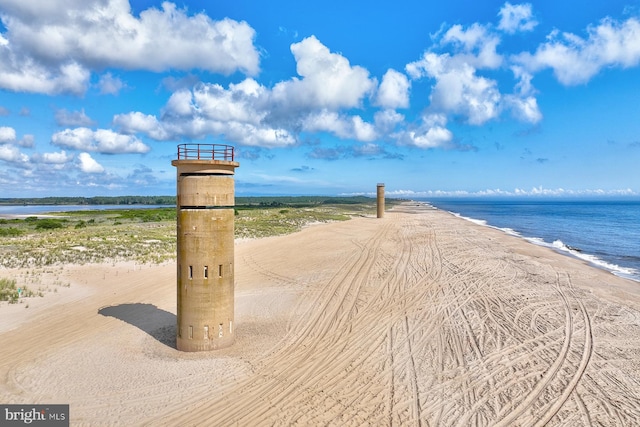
(251, 114)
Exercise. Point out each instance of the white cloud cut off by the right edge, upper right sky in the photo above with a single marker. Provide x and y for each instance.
(575, 60)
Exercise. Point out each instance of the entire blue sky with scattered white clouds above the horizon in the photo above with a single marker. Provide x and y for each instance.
(332, 97)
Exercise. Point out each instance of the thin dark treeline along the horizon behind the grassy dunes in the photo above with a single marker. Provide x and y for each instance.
(261, 201)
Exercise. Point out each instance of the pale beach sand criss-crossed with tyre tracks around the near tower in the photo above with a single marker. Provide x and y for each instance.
(420, 318)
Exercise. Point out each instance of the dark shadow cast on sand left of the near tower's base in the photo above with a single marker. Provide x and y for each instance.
(158, 323)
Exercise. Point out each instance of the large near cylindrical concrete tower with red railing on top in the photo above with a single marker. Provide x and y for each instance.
(205, 227)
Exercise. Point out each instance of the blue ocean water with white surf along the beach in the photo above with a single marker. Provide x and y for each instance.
(604, 233)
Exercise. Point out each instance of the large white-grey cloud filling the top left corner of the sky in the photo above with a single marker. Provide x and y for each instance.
(51, 48)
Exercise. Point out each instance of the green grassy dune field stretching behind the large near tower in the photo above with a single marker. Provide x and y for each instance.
(149, 235)
